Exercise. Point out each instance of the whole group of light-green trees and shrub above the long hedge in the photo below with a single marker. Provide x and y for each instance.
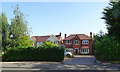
(16, 33)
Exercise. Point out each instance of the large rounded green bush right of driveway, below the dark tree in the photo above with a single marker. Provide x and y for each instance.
(107, 49)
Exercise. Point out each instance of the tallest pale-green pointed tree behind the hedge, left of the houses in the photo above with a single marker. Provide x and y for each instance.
(18, 26)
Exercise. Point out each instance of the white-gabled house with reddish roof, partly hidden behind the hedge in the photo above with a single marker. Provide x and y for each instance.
(38, 40)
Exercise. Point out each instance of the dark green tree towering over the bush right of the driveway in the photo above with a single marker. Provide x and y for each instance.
(112, 18)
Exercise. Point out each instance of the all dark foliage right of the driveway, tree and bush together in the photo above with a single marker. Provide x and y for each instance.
(107, 47)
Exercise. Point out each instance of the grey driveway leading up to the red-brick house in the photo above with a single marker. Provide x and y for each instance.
(81, 60)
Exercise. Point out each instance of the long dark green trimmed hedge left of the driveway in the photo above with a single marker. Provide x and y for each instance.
(43, 53)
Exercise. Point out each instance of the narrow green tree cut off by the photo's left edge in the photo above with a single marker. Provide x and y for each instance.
(5, 31)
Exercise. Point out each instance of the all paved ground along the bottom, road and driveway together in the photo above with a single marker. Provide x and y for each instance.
(78, 63)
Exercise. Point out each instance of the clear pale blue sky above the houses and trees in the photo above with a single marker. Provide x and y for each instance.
(46, 18)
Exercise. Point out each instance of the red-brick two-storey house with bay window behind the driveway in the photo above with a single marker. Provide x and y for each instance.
(78, 43)
